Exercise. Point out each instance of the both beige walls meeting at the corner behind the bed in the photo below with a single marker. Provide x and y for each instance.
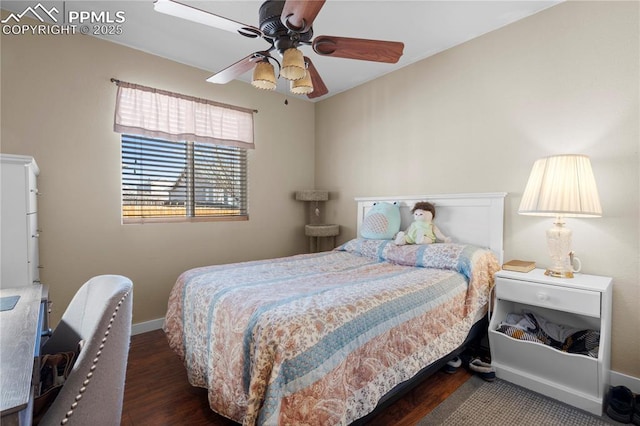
(473, 118)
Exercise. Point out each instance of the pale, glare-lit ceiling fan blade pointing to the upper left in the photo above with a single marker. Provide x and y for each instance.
(200, 16)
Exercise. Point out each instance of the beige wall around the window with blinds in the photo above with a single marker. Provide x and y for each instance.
(58, 105)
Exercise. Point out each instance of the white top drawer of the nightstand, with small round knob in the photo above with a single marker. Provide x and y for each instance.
(549, 296)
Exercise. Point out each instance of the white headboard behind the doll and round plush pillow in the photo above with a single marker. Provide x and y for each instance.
(467, 218)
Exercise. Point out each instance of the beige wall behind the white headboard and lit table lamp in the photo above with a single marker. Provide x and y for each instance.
(476, 117)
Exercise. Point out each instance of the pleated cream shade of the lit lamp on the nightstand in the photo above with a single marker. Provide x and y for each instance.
(561, 185)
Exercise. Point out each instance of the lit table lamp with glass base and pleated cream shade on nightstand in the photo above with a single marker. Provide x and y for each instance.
(561, 186)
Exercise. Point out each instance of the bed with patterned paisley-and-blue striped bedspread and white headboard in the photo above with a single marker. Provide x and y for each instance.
(326, 338)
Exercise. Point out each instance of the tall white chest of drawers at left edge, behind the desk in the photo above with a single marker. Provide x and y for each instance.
(19, 221)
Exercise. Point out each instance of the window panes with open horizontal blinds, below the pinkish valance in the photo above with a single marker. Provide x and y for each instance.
(165, 180)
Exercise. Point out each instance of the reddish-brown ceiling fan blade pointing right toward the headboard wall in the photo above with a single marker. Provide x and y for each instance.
(359, 48)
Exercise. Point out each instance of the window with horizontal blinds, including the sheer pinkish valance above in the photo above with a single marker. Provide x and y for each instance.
(183, 158)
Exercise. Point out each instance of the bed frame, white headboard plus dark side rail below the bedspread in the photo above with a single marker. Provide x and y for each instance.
(466, 218)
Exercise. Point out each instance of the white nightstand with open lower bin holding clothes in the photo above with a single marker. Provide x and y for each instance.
(582, 302)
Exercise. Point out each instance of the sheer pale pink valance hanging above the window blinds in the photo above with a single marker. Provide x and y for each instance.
(155, 113)
